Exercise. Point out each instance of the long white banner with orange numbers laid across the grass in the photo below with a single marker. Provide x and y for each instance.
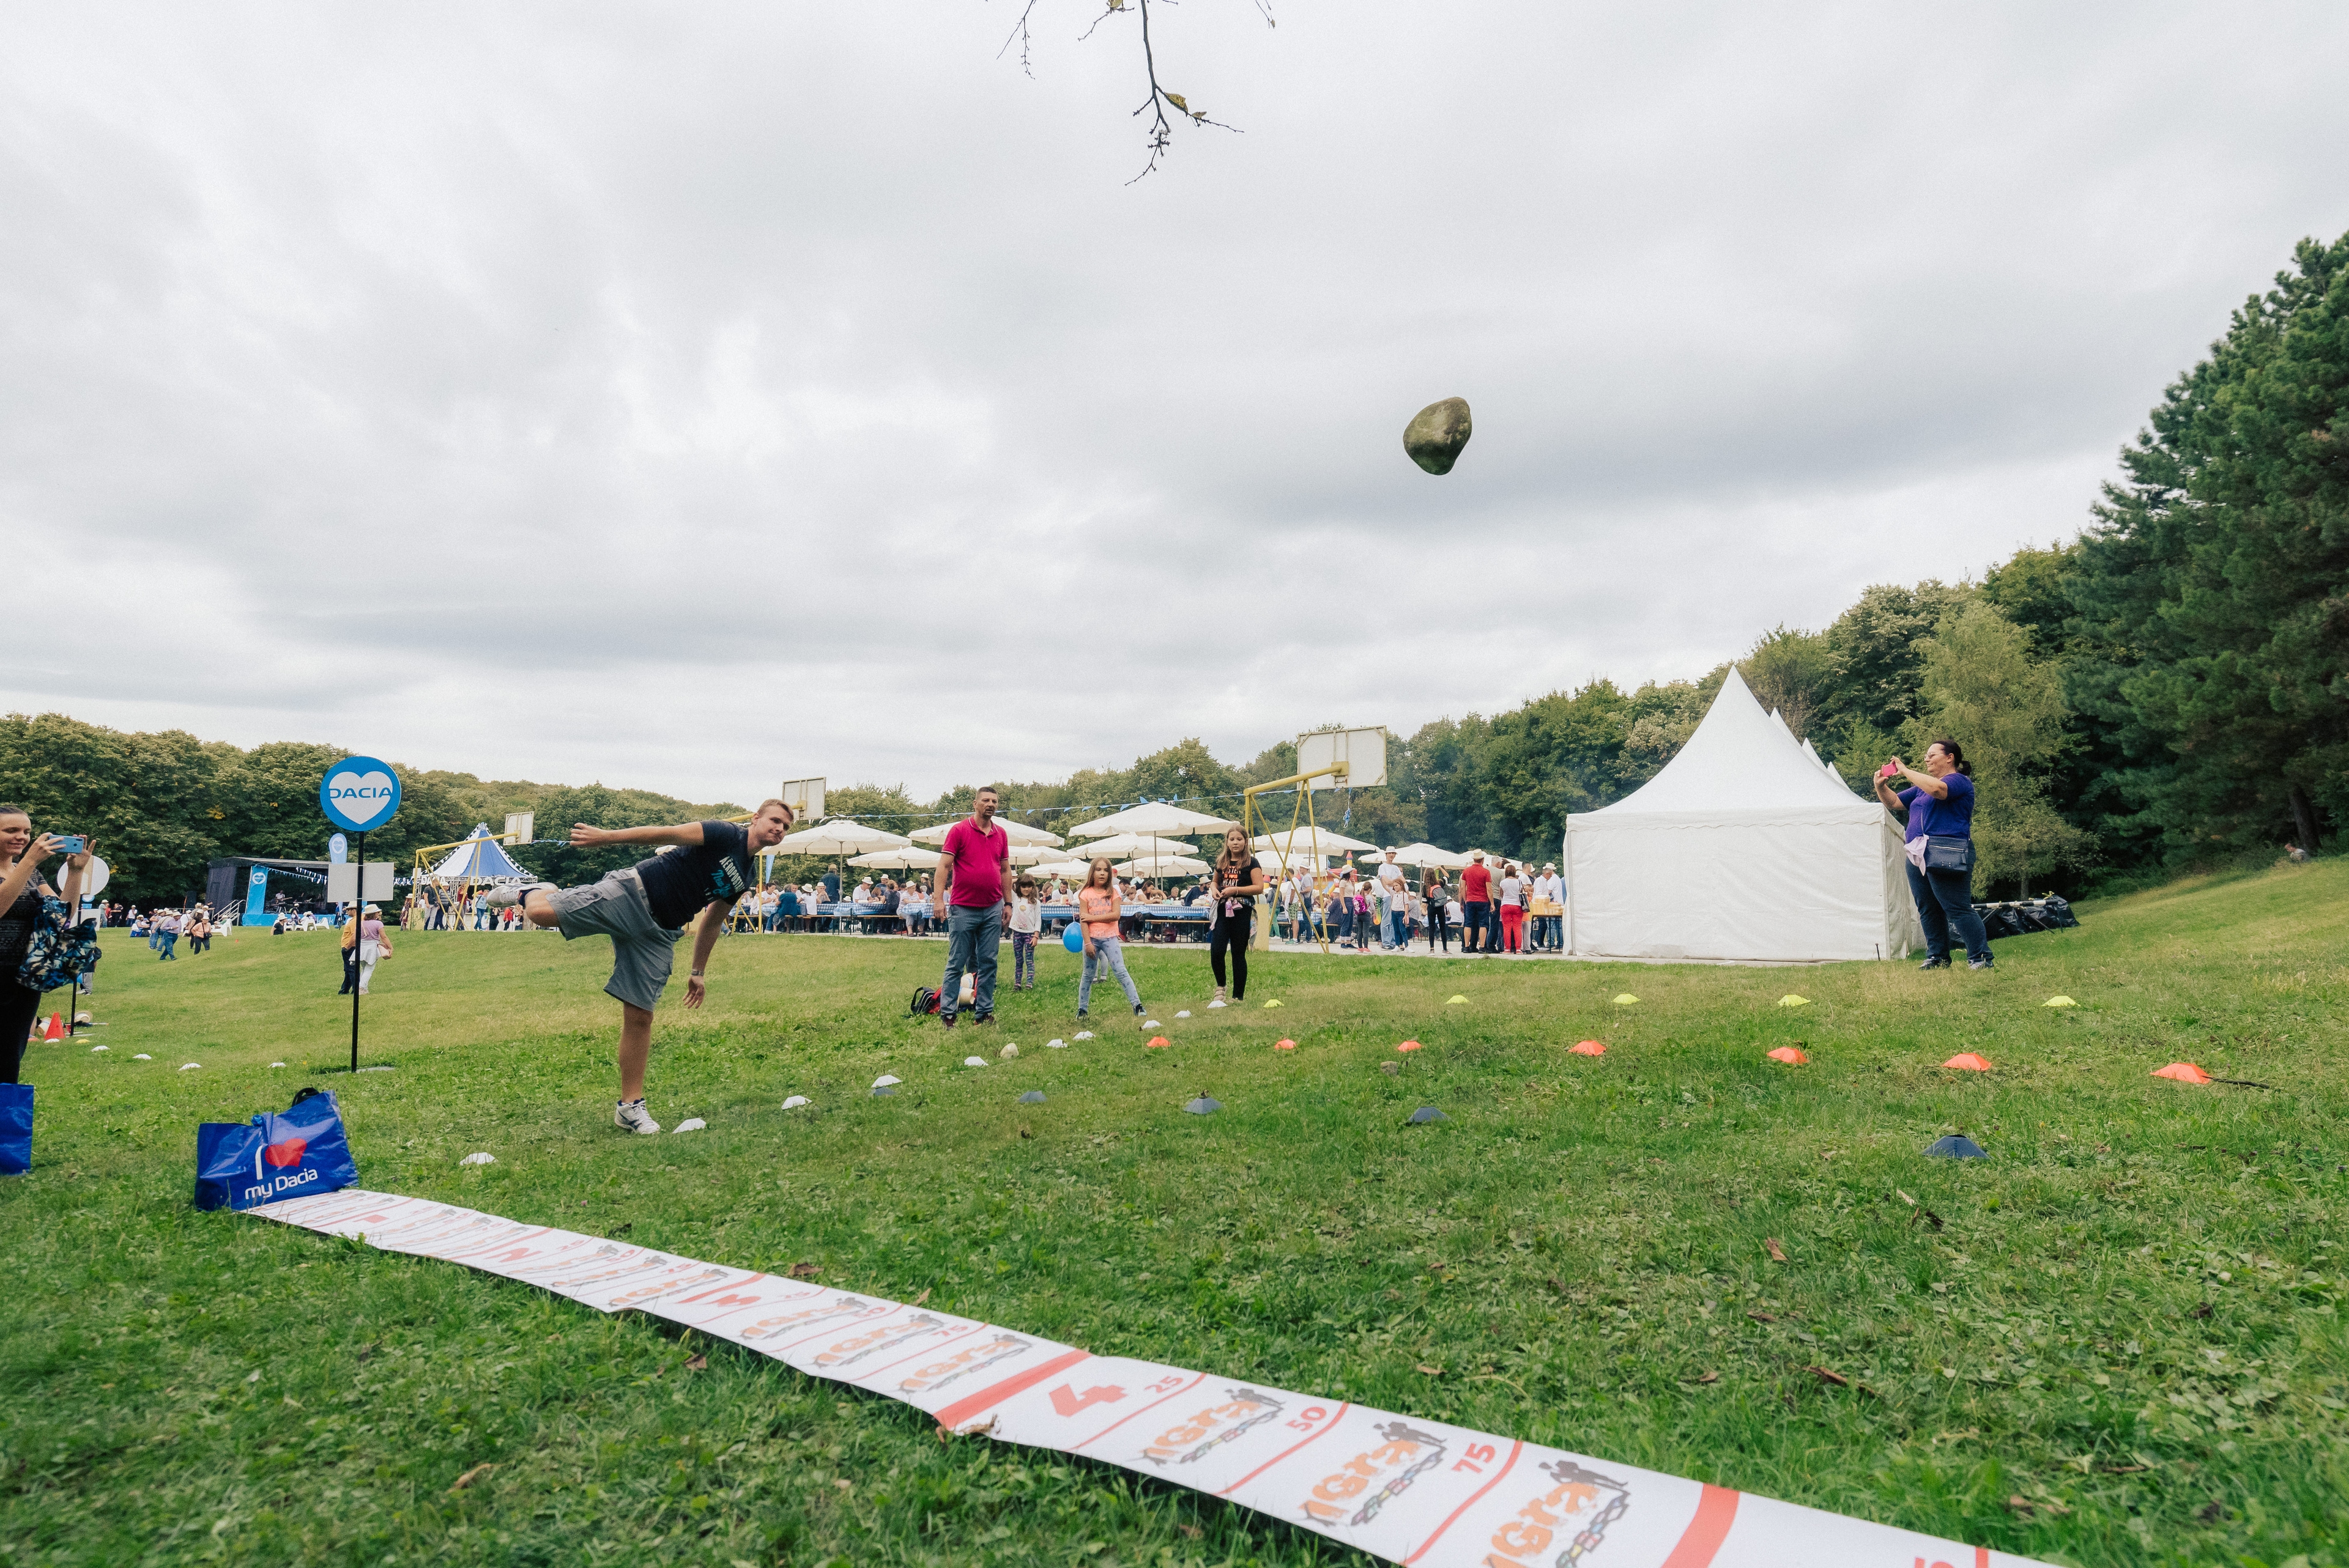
(1399, 1487)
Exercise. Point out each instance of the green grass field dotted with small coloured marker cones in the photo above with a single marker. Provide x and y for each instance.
(2115, 1341)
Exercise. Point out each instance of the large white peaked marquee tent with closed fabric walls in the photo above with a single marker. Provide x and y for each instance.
(1744, 849)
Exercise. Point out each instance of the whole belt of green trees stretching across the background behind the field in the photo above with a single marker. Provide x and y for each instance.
(2169, 689)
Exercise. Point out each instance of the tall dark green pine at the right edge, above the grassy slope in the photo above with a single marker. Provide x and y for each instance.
(2214, 593)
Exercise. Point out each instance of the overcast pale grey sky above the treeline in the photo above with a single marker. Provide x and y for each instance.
(696, 398)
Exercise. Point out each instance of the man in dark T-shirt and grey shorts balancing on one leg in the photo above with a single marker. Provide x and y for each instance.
(645, 912)
